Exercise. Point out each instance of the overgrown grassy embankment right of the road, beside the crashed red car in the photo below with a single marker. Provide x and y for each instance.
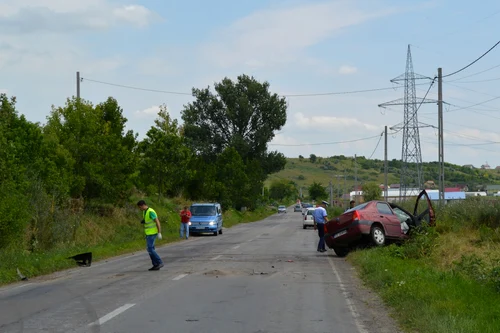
(446, 279)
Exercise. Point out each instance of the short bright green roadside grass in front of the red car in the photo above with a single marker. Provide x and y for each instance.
(425, 299)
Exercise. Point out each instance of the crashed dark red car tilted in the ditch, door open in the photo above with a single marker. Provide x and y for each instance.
(376, 222)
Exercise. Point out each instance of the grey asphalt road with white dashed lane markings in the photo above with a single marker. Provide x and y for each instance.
(259, 277)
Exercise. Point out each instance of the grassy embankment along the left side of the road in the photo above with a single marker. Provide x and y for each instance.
(116, 232)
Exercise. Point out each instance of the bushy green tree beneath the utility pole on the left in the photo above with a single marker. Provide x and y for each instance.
(103, 151)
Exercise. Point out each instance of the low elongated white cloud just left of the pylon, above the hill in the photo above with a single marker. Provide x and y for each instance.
(331, 122)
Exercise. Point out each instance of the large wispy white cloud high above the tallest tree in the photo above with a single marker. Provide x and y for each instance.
(280, 36)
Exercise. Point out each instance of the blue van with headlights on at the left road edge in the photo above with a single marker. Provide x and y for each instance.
(206, 217)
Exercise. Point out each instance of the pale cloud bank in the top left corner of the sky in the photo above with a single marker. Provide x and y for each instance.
(63, 16)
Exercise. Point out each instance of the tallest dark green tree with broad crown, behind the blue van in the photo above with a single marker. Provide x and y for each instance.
(242, 115)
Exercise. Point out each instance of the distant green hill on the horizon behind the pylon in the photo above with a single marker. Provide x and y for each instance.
(341, 171)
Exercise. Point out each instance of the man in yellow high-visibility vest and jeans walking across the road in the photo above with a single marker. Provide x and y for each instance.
(152, 229)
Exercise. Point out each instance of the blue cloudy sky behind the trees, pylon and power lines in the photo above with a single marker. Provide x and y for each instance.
(300, 47)
